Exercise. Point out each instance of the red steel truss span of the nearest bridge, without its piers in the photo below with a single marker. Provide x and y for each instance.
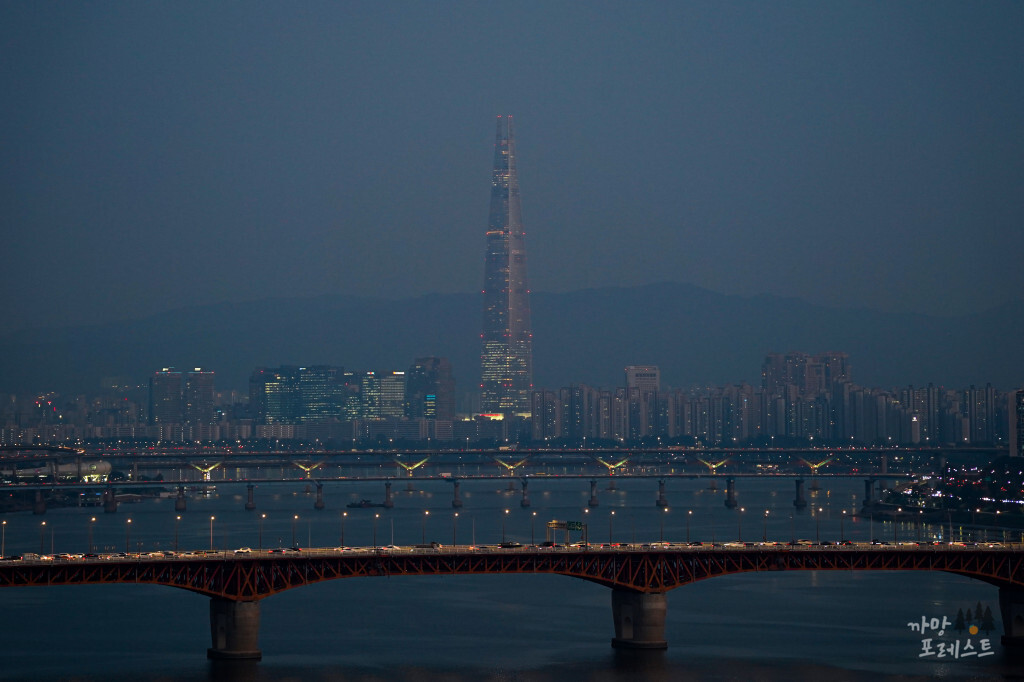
(250, 578)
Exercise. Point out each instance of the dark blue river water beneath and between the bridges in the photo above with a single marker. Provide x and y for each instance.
(780, 626)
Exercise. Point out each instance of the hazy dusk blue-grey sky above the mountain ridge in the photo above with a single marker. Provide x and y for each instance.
(155, 156)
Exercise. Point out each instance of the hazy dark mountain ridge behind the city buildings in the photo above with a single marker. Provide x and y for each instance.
(698, 337)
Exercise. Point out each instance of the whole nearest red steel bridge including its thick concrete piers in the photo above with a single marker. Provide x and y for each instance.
(639, 576)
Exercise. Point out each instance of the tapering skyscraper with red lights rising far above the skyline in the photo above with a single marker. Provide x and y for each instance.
(506, 355)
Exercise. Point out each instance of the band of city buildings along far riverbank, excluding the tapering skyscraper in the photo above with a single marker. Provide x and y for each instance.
(803, 400)
